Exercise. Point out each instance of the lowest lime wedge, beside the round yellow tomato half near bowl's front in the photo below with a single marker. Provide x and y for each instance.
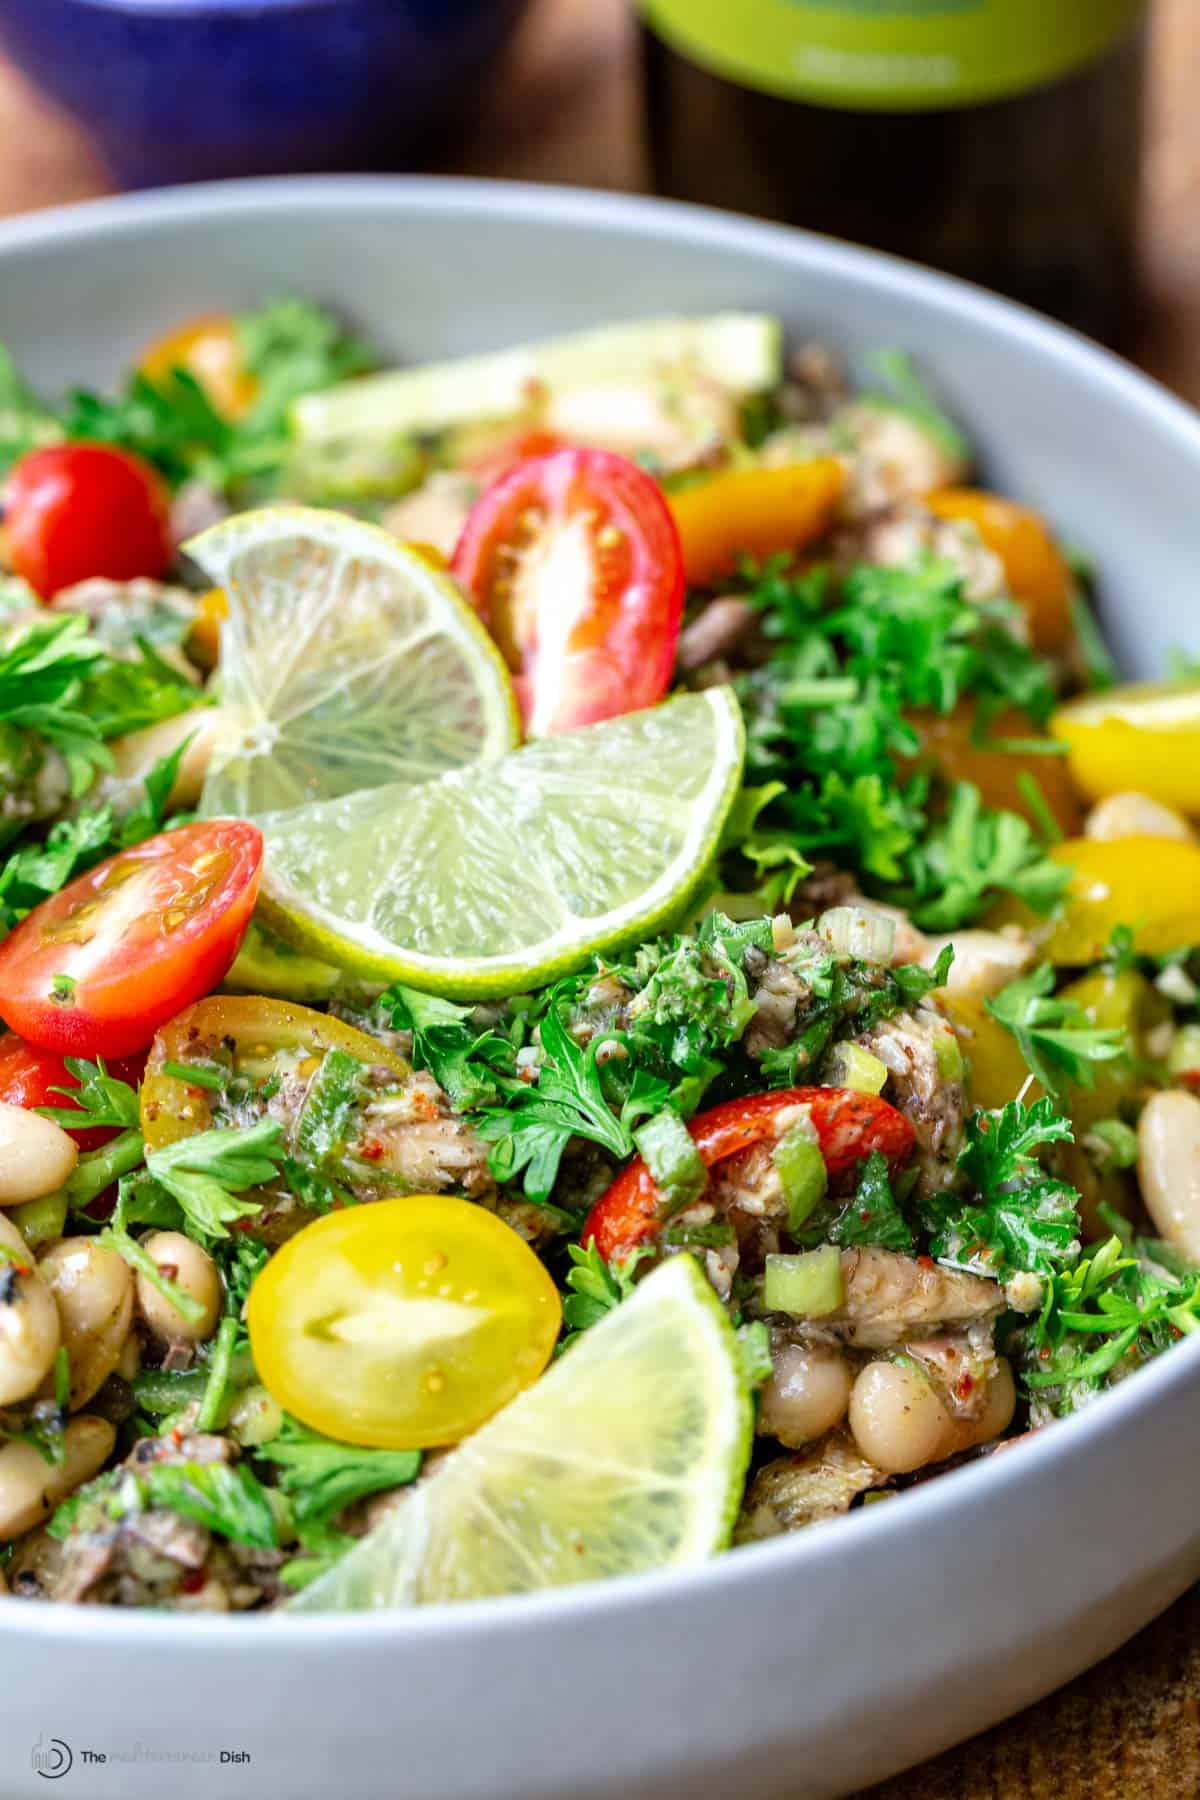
(629, 1455)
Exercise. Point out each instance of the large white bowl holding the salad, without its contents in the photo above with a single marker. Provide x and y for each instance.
(801, 1668)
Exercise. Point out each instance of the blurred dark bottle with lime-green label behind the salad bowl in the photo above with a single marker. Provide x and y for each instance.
(998, 139)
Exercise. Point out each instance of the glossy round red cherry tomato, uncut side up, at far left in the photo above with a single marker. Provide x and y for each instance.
(75, 512)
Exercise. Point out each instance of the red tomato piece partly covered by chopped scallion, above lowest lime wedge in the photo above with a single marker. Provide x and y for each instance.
(850, 1126)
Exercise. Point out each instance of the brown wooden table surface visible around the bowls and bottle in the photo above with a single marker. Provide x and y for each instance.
(566, 109)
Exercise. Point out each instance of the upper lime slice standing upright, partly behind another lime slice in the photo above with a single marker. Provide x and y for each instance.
(346, 663)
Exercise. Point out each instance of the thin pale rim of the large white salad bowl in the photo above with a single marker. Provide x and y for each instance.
(587, 210)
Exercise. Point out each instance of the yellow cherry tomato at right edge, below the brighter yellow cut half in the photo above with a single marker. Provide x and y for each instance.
(1152, 885)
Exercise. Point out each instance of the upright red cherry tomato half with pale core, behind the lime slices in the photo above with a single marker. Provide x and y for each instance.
(577, 570)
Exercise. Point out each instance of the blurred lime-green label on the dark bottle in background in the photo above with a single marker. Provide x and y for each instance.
(893, 55)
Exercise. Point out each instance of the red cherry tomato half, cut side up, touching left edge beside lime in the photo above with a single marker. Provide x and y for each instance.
(96, 969)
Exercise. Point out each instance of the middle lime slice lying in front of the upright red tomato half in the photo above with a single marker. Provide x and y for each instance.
(501, 876)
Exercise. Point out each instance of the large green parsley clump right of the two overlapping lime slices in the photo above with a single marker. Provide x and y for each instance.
(830, 717)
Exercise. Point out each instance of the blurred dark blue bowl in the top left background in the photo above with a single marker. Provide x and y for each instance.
(177, 91)
